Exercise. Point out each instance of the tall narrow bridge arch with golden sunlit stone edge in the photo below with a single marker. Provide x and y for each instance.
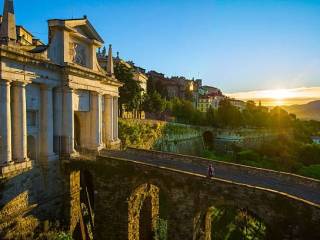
(143, 211)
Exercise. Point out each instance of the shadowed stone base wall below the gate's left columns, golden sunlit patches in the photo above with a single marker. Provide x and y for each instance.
(32, 201)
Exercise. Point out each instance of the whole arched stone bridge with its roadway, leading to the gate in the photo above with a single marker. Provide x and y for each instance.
(130, 190)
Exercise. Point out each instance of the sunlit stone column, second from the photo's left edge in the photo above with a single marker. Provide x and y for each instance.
(19, 120)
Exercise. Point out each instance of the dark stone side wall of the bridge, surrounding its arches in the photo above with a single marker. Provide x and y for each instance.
(189, 196)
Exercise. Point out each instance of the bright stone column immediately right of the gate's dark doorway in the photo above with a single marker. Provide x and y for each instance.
(96, 121)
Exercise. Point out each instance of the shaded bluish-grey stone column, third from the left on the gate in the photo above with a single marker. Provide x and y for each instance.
(46, 123)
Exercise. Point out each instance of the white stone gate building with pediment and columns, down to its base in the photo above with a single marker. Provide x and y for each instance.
(56, 102)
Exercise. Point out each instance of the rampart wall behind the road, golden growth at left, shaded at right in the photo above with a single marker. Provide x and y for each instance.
(162, 136)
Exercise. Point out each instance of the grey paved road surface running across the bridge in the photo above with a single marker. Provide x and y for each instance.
(307, 193)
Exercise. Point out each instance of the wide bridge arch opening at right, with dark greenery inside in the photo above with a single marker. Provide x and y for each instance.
(232, 223)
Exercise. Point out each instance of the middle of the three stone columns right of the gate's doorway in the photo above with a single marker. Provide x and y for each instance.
(108, 119)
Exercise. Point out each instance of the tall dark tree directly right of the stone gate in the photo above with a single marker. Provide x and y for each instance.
(130, 92)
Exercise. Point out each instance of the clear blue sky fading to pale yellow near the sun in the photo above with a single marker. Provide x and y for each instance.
(239, 46)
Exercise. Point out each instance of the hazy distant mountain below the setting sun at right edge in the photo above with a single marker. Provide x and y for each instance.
(308, 111)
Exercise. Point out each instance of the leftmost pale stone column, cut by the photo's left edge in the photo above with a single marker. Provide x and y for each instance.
(5, 121)
